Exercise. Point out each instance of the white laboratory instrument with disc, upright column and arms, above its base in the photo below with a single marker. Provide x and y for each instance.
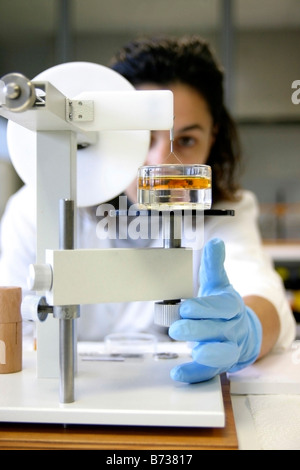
(50, 118)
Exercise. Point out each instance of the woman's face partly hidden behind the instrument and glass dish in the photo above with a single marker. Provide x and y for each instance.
(194, 132)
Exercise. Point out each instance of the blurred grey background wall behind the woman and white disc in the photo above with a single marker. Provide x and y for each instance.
(258, 41)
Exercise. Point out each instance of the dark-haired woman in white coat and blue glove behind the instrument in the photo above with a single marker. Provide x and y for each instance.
(205, 133)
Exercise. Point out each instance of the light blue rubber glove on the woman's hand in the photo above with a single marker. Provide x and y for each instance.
(228, 334)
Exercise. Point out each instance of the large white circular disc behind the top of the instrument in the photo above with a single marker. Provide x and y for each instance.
(104, 169)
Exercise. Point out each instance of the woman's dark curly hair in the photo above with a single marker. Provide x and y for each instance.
(189, 60)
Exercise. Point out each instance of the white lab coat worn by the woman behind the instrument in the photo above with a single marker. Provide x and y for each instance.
(247, 265)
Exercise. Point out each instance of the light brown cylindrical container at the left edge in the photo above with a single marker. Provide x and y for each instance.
(10, 330)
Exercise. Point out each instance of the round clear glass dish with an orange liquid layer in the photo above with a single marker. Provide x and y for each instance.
(179, 186)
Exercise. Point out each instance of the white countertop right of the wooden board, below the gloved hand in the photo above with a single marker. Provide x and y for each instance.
(266, 402)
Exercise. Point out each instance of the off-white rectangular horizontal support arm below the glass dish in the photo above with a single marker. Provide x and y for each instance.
(118, 275)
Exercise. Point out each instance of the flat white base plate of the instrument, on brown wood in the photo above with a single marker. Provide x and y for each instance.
(133, 392)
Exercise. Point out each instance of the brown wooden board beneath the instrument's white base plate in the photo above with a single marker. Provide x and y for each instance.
(20, 436)
